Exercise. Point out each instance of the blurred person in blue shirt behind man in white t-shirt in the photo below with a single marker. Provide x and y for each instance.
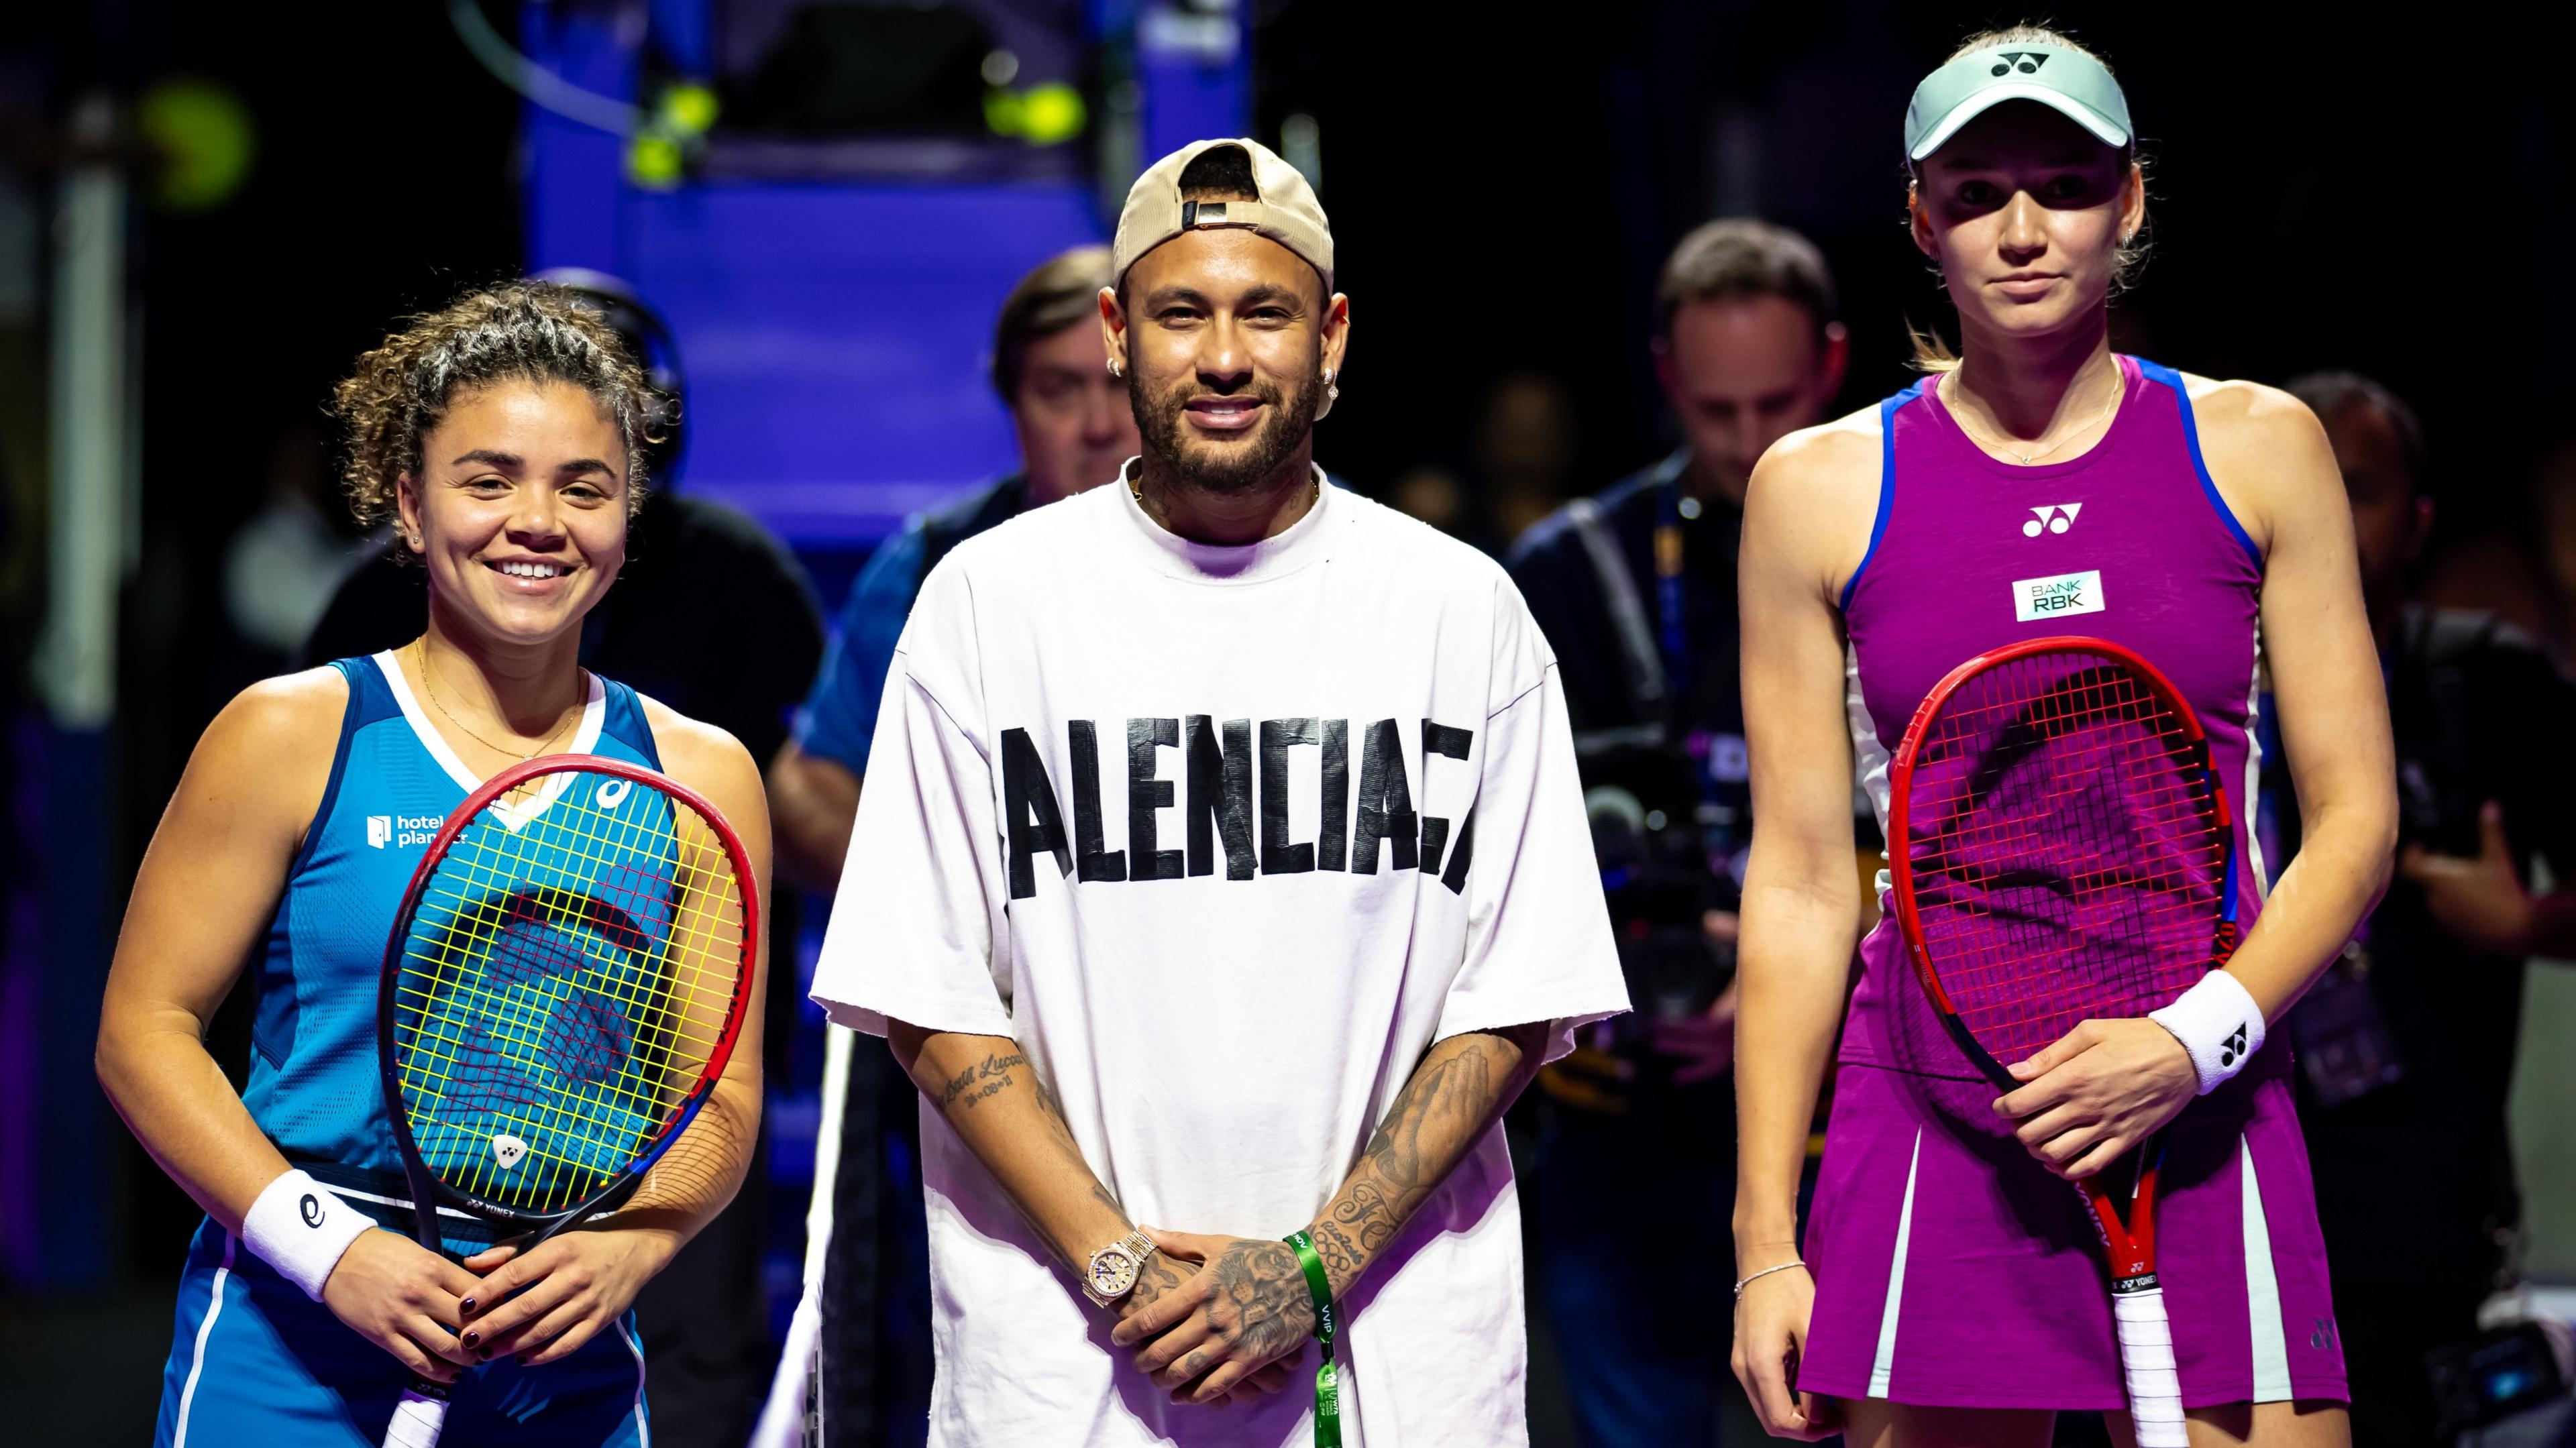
(1075, 429)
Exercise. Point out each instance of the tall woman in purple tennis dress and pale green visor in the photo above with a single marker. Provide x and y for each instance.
(1949, 1287)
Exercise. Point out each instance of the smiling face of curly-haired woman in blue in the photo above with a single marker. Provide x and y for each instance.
(519, 511)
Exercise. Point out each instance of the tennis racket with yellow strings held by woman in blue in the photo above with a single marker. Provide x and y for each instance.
(565, 983)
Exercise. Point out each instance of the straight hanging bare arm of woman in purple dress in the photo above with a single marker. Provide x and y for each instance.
(1804, 527)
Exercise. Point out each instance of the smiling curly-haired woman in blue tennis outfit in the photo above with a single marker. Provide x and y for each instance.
(504, 437)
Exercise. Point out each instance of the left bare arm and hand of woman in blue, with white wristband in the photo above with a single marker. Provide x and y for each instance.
(202, 900)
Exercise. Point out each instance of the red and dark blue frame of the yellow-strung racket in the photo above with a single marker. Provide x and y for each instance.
(426, 1189)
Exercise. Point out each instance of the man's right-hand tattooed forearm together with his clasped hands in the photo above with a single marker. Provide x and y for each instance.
(1251, 1308)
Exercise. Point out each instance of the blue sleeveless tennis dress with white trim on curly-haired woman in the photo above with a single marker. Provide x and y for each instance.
(254, 1359)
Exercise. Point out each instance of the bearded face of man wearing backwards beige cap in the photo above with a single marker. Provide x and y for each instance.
(1227, 341)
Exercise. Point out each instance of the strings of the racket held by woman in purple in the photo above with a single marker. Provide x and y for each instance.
(2065, 849)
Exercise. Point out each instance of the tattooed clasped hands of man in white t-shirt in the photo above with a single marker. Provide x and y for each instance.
(1217, 1320)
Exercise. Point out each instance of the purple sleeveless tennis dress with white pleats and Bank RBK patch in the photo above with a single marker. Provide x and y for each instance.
(1954, 1272)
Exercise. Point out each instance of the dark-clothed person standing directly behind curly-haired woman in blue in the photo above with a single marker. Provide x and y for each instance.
(712, 617)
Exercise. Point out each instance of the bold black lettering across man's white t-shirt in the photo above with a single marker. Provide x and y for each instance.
(1217, 803)
